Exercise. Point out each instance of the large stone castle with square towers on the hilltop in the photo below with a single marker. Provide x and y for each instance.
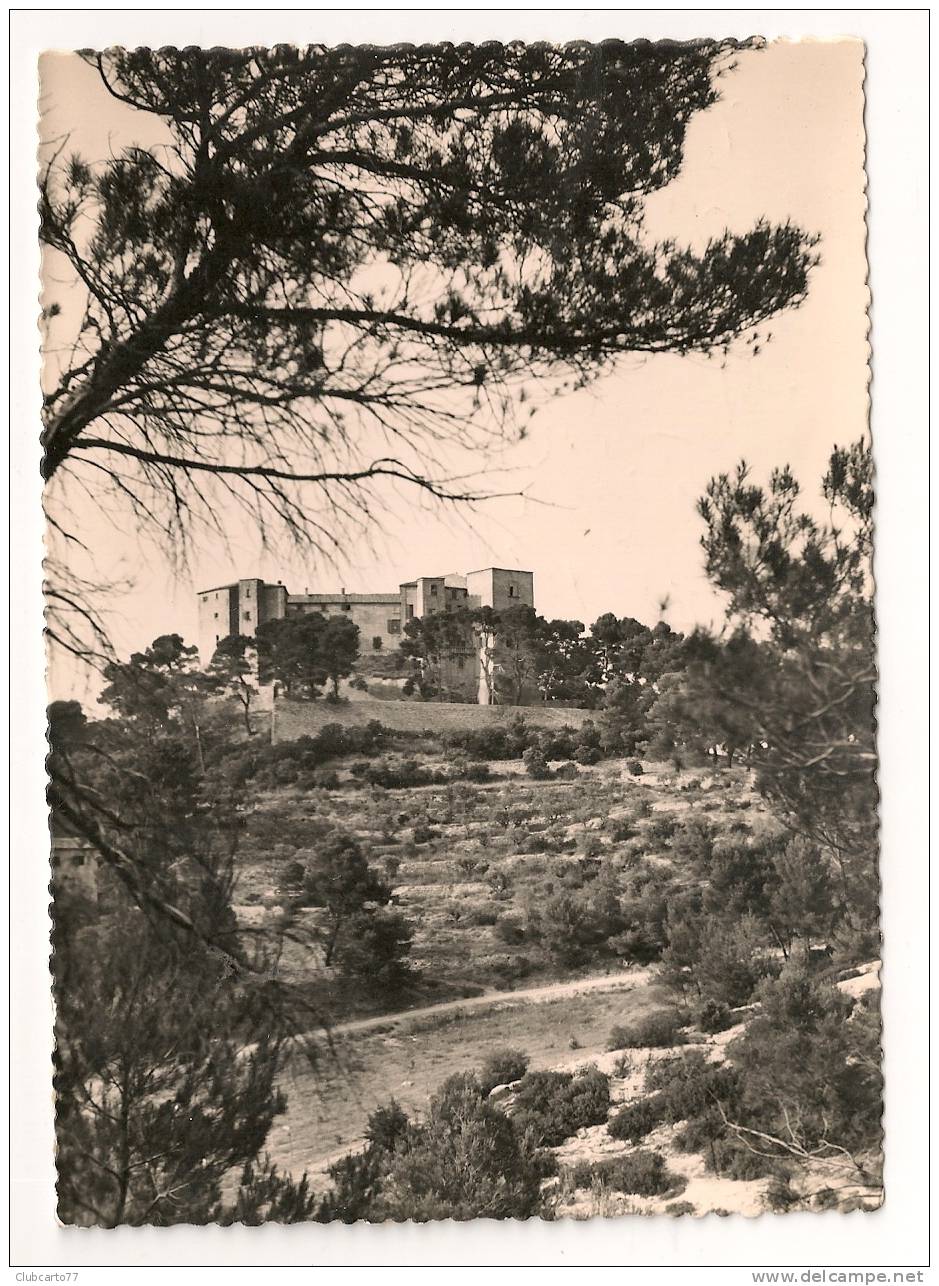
(242, 606)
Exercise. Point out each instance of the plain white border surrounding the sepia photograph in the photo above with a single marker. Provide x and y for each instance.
(895, 1238)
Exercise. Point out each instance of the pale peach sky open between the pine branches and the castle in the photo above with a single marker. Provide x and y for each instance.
(612, 473)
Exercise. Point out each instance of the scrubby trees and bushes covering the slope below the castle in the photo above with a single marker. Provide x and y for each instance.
(360, 871)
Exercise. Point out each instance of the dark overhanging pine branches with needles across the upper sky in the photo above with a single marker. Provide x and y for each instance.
(344, 262)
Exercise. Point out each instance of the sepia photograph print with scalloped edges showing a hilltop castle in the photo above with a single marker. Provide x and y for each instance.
(461, 644)
